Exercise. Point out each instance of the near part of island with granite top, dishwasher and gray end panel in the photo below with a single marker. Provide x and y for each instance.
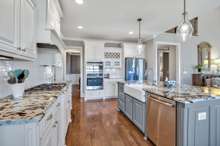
(183, 116)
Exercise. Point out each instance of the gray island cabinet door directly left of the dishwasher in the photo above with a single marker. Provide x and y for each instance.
(139, 114)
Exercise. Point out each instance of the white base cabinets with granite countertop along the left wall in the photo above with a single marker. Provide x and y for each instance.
(40, 118)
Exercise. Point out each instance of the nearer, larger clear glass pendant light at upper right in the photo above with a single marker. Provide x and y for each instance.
(185, 29)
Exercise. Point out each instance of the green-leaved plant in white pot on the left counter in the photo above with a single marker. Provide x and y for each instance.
(16, 79)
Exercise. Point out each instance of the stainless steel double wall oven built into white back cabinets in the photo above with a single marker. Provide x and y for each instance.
(94, 75)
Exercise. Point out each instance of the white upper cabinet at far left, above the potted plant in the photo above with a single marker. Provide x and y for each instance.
(17, 37)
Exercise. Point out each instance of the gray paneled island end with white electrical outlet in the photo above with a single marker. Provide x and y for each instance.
(198, 124)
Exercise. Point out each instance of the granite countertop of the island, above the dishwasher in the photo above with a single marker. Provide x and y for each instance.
(184, 93)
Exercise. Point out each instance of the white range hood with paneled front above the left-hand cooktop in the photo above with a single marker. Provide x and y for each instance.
(49, 17)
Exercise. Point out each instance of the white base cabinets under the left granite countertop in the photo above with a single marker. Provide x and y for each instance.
(49, 131)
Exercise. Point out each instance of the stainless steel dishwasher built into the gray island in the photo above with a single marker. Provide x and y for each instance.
(161, 121)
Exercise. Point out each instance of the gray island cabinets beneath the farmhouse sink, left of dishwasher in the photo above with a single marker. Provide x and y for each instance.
(134, 109)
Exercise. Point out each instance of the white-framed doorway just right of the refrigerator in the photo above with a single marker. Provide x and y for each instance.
(167, 62)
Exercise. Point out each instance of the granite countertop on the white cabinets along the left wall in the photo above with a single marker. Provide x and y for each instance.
(32, 107)
